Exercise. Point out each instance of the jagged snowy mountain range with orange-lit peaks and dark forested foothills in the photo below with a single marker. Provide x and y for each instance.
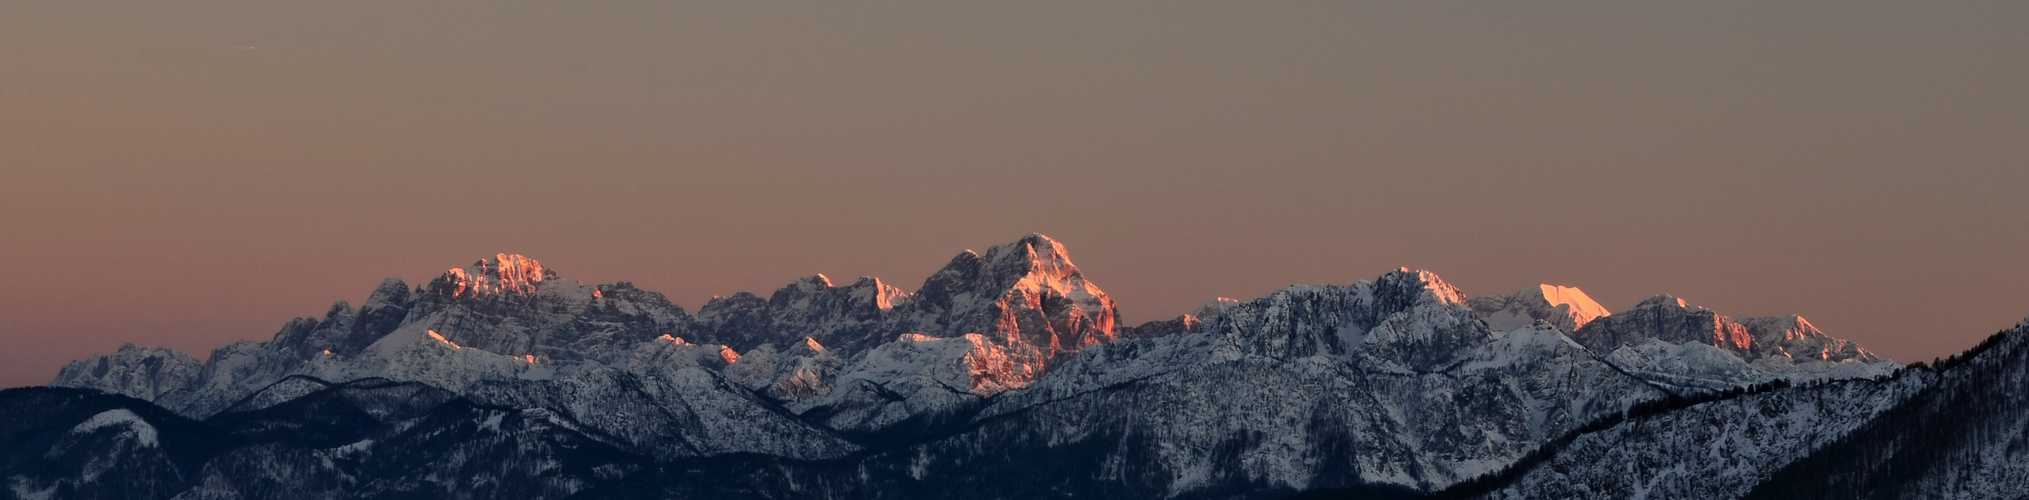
(506, 373)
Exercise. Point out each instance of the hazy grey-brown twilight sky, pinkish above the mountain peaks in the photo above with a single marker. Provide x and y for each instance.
(190, 174)
